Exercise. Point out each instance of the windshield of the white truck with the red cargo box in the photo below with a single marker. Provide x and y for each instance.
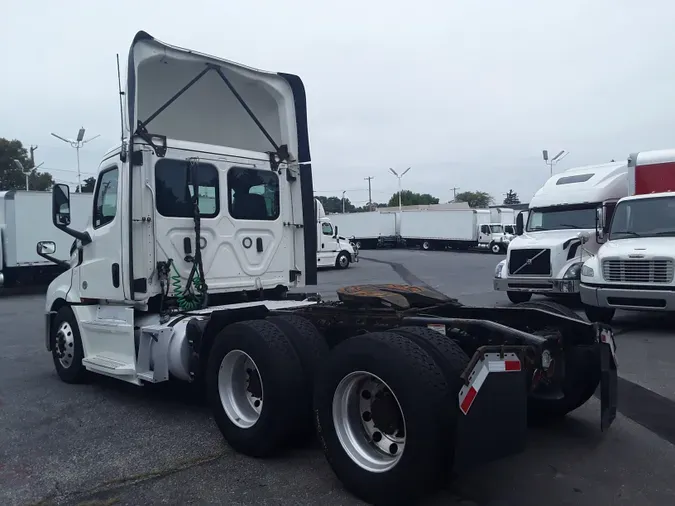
(649, 217)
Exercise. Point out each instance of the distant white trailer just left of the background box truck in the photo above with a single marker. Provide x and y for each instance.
(368, 230)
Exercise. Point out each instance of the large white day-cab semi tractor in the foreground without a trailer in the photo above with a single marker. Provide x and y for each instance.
(204, 218)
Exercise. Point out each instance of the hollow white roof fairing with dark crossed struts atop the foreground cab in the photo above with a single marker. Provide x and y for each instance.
(209, 110)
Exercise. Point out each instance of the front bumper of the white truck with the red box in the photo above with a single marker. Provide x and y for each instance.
(626, 298)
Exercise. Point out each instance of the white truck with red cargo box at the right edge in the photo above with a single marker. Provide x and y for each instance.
(633, 269)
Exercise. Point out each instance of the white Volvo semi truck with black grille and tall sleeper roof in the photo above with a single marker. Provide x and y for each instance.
(559, 235)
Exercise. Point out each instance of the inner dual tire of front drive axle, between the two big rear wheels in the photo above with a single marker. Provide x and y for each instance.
(312, 350)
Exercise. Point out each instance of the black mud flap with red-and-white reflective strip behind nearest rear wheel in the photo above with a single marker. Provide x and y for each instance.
(492, 419)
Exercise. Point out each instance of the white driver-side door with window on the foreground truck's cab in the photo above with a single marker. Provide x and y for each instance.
(100, 272)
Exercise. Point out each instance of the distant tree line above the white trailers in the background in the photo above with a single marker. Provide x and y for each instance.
(475, 199)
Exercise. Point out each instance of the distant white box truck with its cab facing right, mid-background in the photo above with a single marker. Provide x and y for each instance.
(461, 229)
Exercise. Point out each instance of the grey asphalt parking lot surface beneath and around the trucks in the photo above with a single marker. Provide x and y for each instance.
(110, 443)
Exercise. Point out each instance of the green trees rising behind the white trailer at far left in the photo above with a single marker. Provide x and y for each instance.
(13, 178)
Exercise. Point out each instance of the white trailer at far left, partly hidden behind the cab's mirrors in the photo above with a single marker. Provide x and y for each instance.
(25, 218)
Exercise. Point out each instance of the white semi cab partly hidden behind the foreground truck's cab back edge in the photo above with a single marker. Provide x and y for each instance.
(332, 250)
